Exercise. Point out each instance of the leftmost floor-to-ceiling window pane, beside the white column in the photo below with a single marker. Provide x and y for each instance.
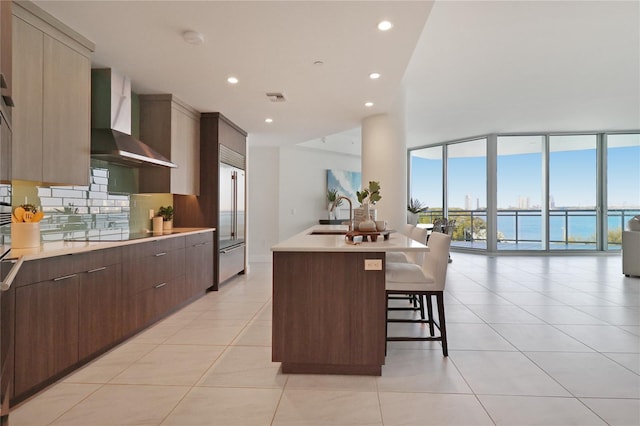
(426, 177)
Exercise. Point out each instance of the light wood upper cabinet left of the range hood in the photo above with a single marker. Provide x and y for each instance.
(52, 96)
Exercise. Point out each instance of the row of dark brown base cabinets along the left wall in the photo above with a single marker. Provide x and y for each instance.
(68, 309)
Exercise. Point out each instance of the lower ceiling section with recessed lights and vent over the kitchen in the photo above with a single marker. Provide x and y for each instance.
(270, 46)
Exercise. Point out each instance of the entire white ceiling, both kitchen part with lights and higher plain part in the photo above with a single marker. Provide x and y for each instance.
(466, 68)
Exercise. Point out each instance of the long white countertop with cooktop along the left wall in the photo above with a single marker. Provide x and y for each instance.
(59, 248)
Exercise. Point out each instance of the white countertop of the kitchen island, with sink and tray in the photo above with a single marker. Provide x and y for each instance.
(306, 241)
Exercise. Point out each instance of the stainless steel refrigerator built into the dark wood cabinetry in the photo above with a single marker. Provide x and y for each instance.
(231, 227)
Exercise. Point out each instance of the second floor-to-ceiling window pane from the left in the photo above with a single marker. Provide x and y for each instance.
(467, 192)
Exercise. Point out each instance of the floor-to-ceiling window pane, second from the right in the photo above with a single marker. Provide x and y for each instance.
(572, 192)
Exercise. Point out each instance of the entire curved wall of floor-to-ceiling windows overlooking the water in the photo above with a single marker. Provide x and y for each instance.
(554, 192)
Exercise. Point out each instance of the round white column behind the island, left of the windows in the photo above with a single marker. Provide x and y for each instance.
(384, 159)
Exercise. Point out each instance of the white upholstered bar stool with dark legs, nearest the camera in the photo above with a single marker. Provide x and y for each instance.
(424, 281)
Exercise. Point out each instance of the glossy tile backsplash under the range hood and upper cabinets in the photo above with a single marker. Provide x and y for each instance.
(79, 212)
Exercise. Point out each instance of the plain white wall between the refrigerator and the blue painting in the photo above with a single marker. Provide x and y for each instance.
(287, 193)
